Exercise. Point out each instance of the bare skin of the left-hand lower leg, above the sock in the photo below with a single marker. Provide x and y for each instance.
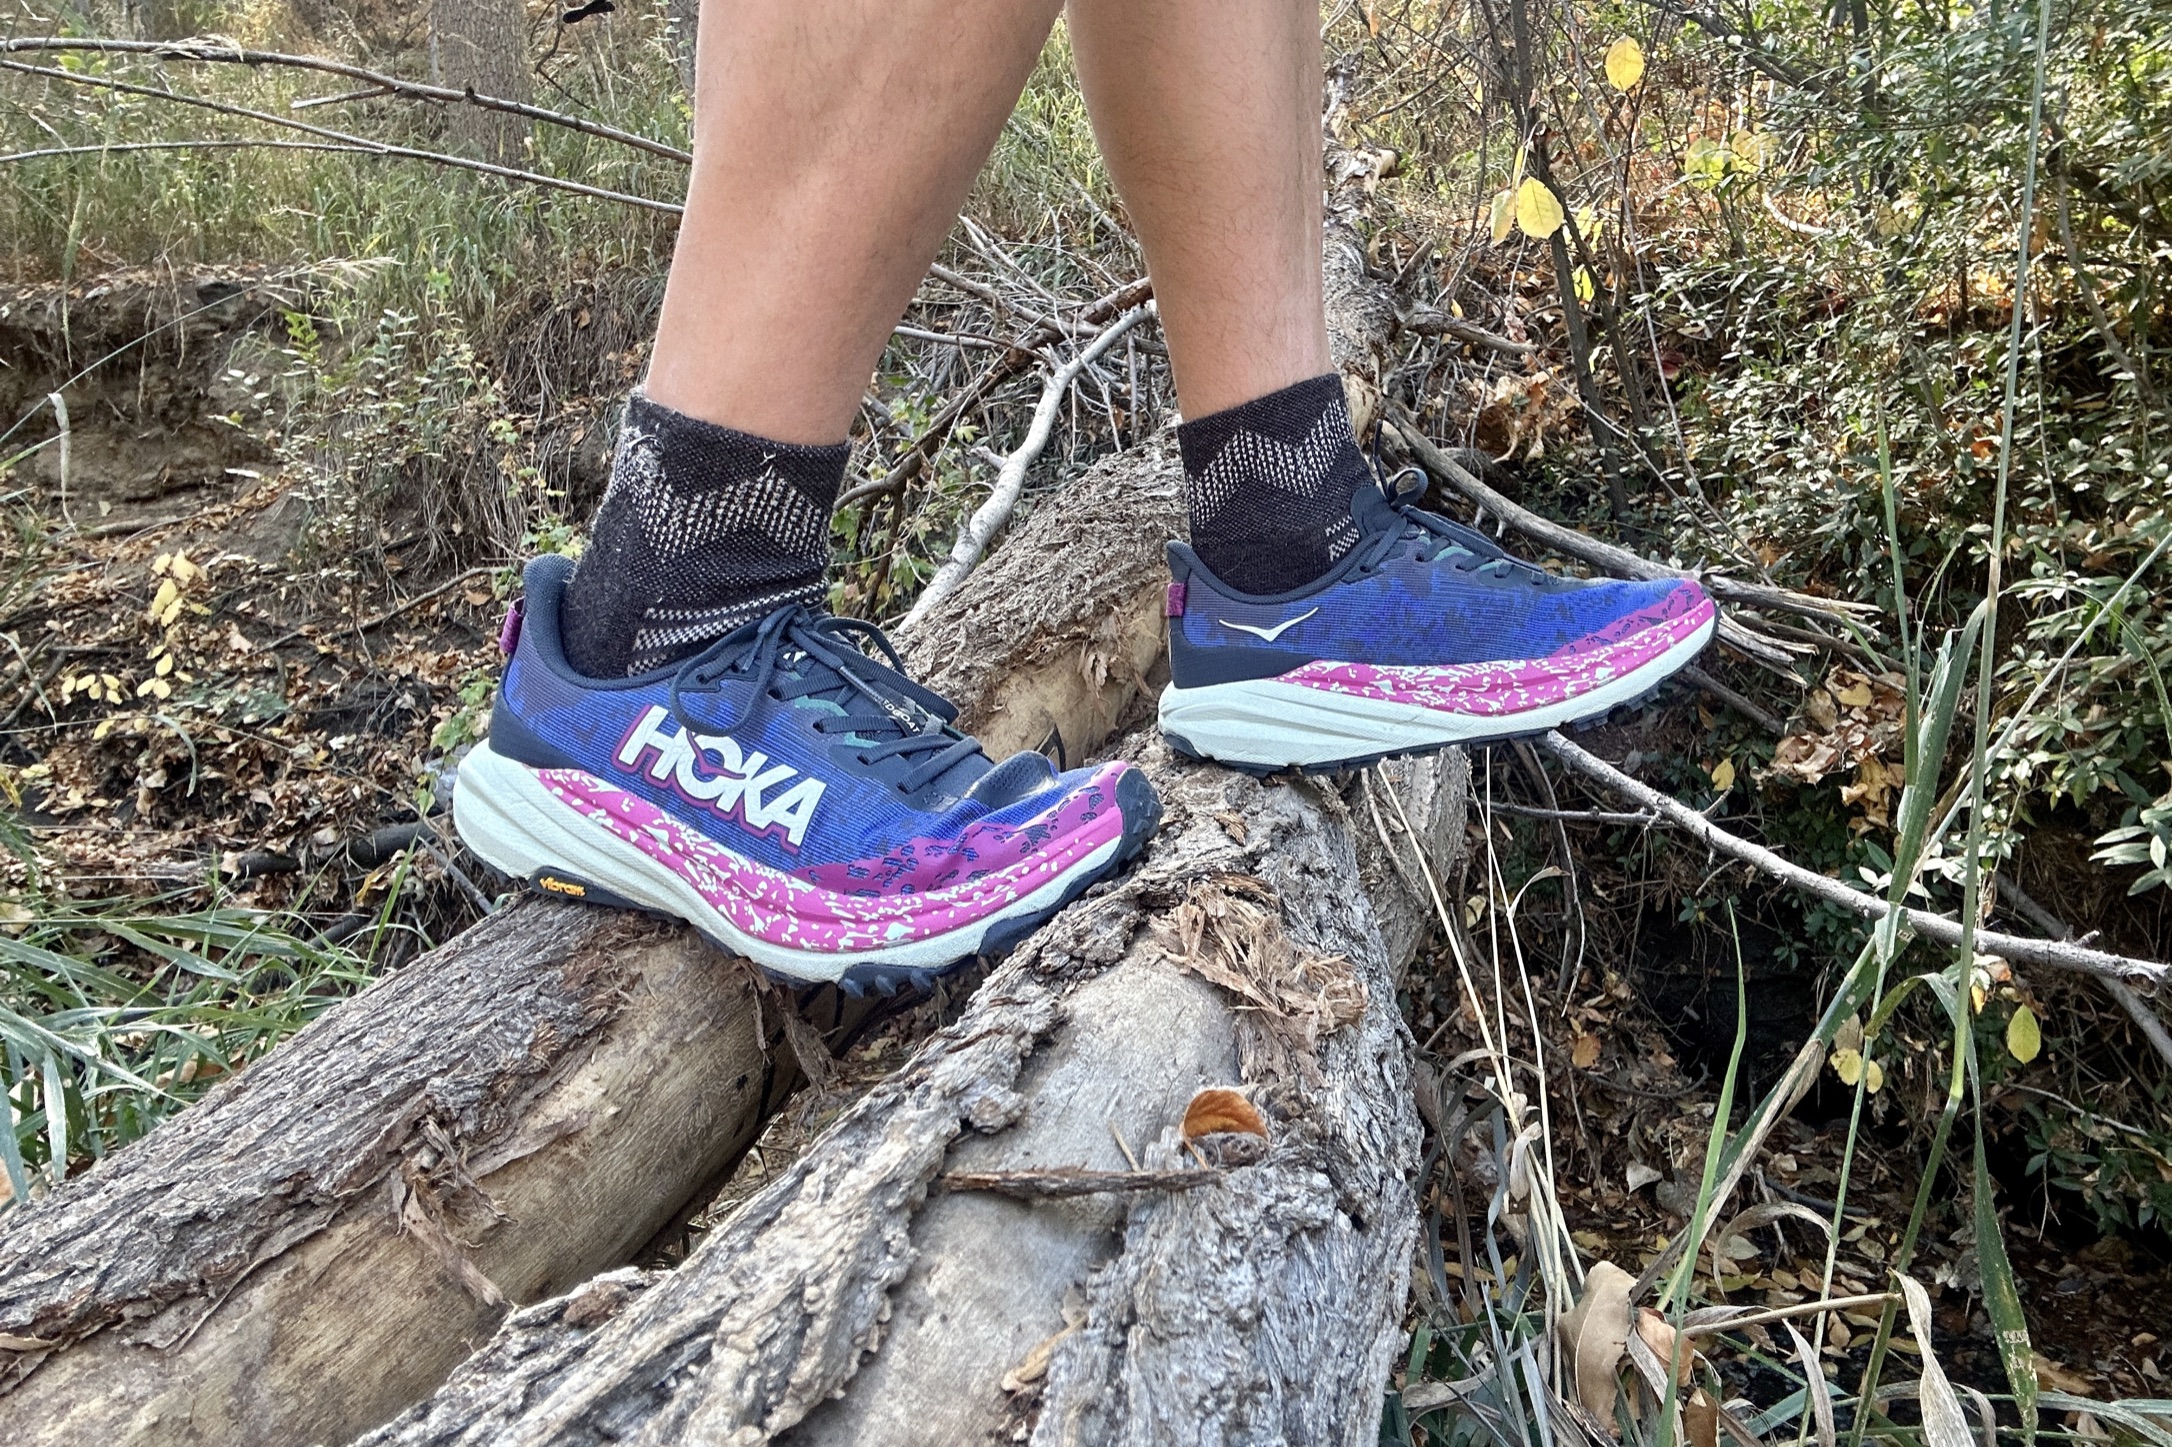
(833, 149)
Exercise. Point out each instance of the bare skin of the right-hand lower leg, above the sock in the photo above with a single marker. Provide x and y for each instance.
(1209, 114)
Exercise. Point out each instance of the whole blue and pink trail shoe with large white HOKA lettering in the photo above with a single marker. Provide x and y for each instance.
(794, 798)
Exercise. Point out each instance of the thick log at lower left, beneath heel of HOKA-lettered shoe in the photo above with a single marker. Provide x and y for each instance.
(316, 1244)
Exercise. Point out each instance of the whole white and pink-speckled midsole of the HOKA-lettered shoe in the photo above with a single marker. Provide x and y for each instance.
(525, 820)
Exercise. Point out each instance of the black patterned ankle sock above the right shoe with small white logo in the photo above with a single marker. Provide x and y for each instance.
(1270, 486)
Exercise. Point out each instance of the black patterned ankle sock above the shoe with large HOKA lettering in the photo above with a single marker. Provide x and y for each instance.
(703, 529)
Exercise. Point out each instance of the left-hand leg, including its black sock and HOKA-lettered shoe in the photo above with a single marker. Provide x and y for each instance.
(681, 727)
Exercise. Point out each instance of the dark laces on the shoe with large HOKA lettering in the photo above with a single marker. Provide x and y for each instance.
(798, 653)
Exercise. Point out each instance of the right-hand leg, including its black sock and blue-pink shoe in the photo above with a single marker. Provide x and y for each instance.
(1315, 620)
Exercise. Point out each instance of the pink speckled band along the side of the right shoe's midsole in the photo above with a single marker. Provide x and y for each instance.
(1500, 690)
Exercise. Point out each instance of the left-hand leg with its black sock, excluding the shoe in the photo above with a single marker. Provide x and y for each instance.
(833, 149)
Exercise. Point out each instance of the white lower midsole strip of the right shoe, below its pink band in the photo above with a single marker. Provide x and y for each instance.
(1280, 725)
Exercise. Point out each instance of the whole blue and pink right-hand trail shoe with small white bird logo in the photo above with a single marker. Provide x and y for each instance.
(1424, 636)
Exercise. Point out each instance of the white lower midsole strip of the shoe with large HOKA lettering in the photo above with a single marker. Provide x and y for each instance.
(507, 816)
